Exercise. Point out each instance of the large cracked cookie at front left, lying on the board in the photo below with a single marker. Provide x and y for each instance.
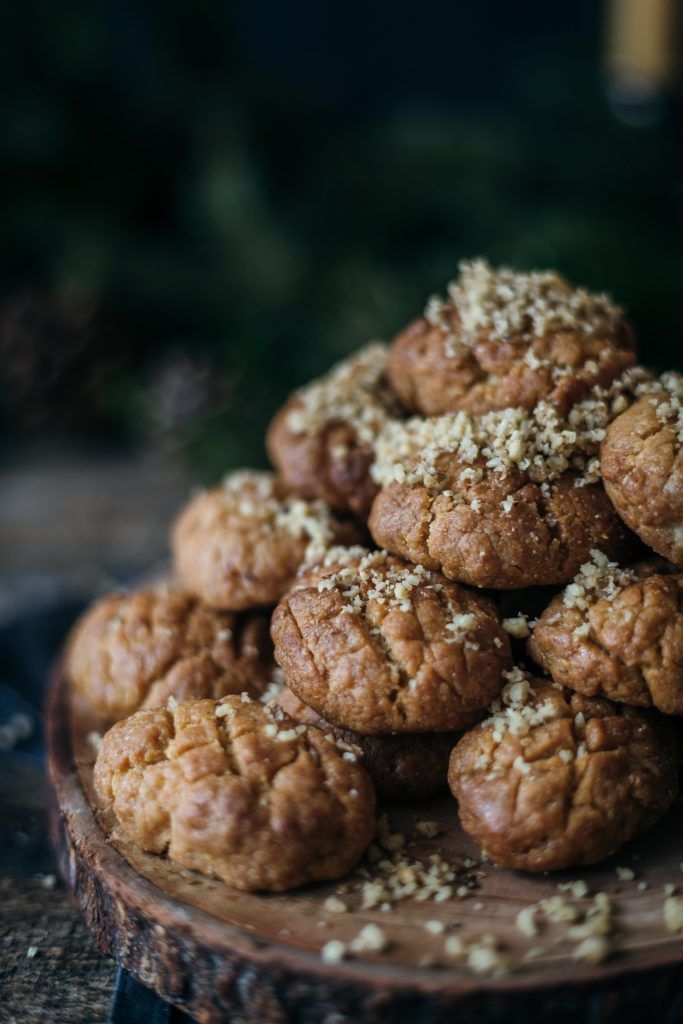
(239, 791)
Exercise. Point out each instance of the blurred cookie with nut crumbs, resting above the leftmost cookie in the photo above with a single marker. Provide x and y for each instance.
(242, 544)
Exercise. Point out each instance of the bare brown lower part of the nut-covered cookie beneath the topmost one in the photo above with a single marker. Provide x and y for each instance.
(503, 532)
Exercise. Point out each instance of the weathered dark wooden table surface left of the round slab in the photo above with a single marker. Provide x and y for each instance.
(68, 521)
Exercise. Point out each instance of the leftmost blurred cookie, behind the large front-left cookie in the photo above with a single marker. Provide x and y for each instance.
(139, 650)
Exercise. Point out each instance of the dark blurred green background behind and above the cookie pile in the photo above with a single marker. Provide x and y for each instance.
(204, 205)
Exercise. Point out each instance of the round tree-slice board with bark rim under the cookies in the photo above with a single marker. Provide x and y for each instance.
(226, 956)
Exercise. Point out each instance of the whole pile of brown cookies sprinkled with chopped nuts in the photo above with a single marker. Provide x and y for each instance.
(501, 488)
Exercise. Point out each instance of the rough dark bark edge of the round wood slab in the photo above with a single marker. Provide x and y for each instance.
(219, 972)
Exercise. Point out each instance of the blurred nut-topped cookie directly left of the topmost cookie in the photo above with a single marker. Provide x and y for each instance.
(322, 441)
